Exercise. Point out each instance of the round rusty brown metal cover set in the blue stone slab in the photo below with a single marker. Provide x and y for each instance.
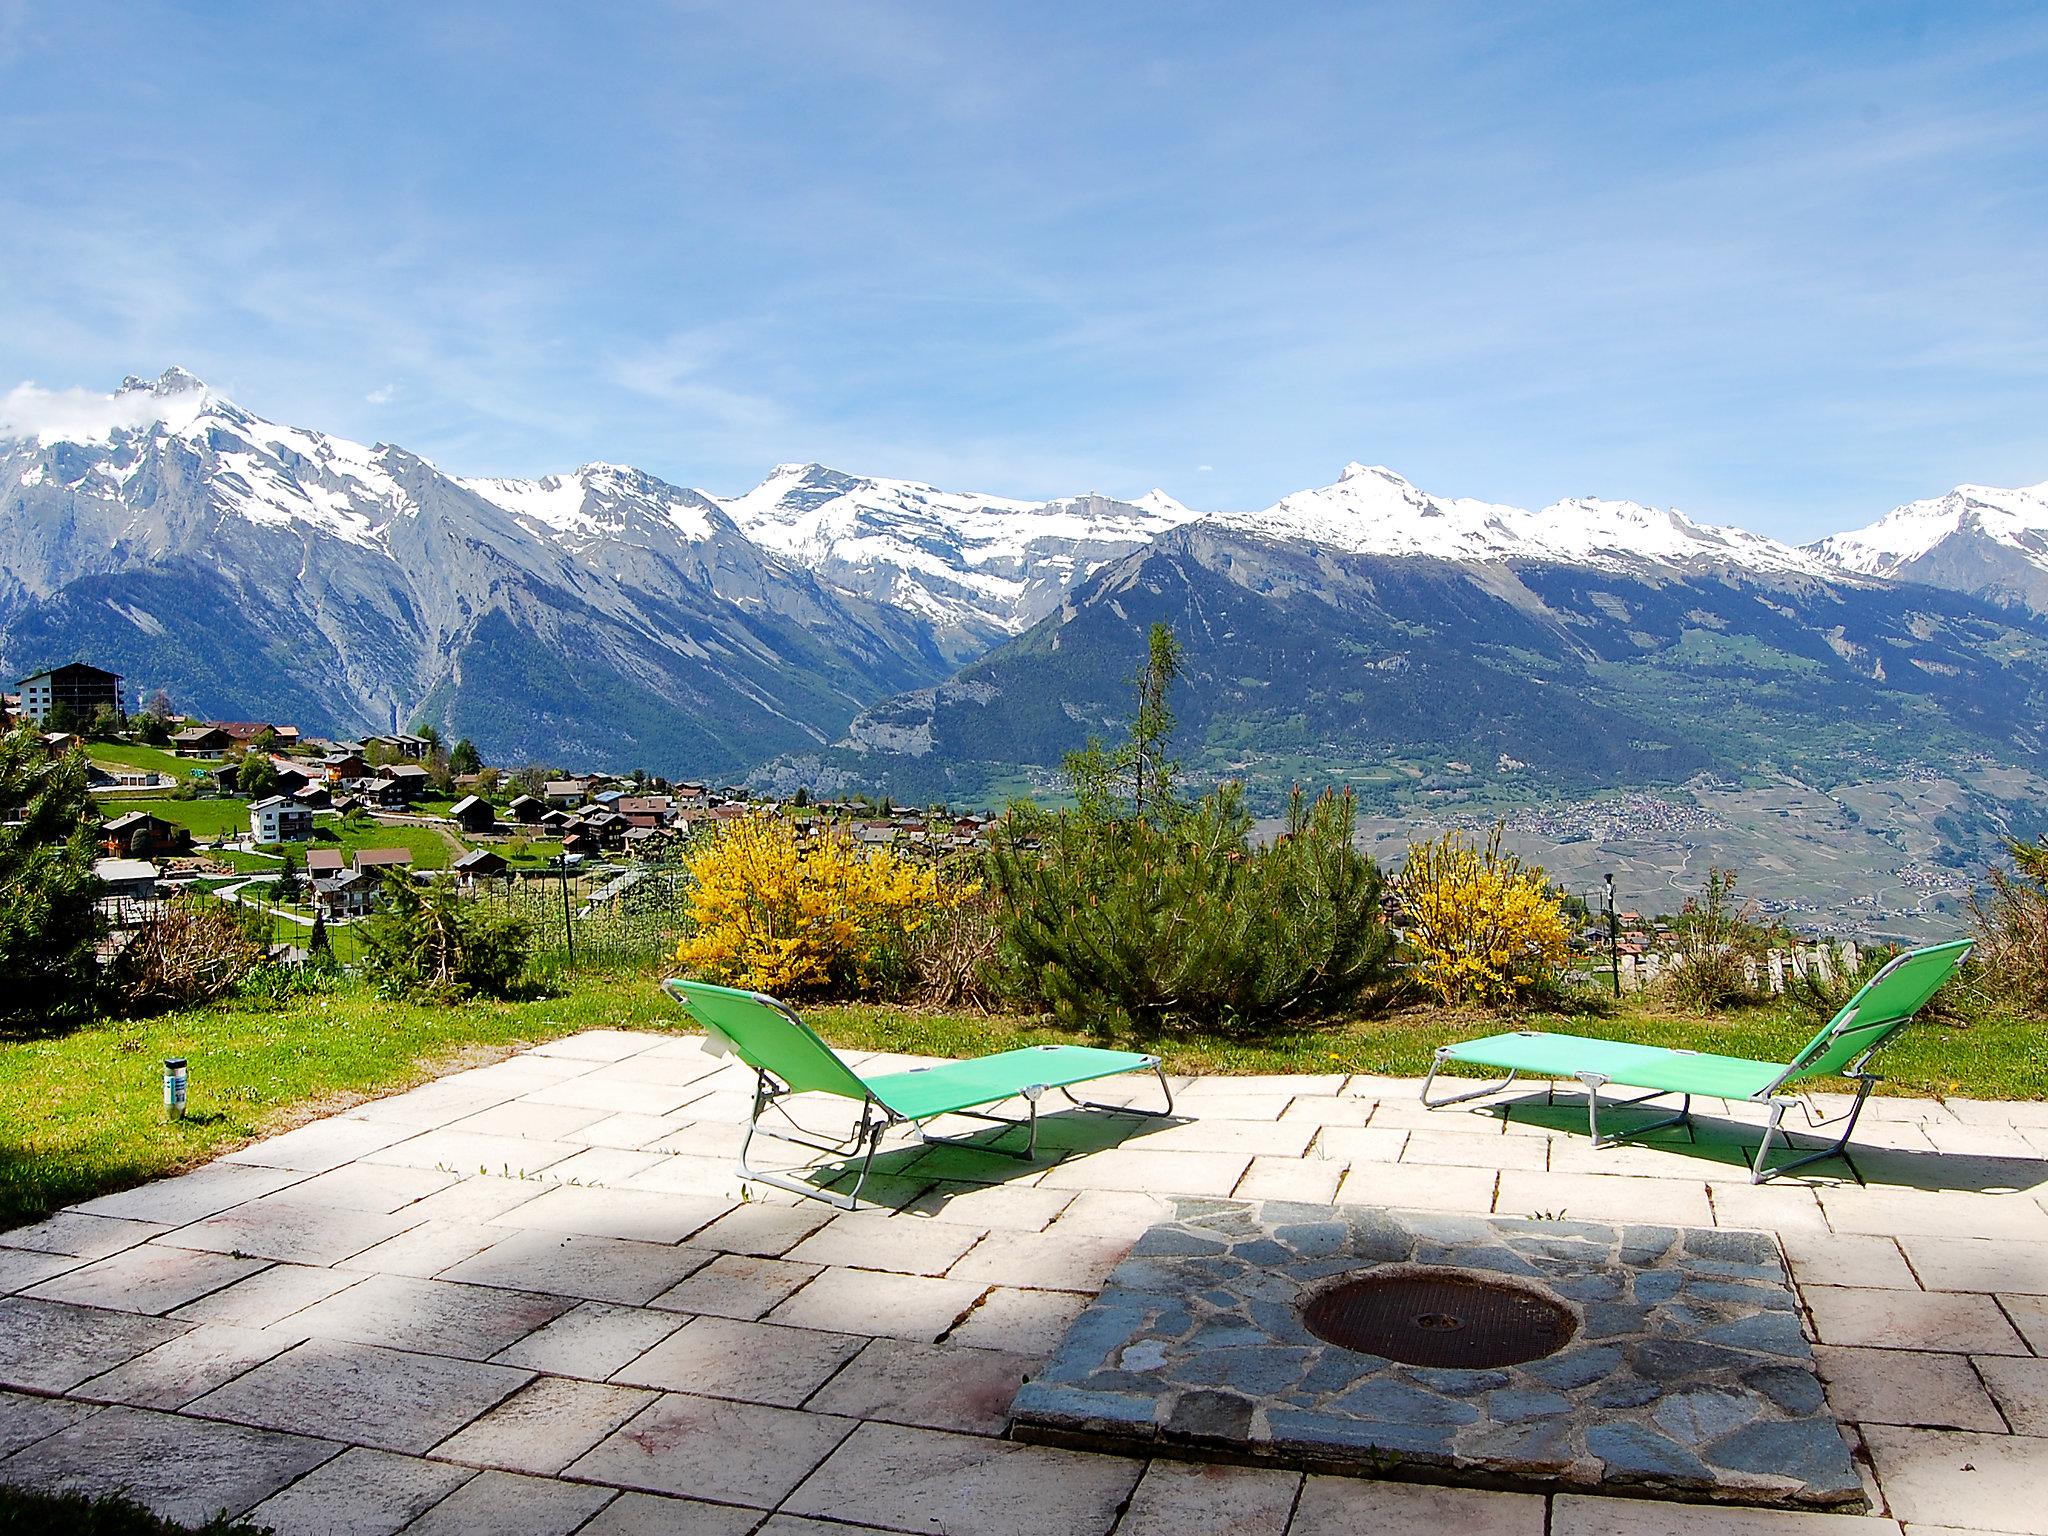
(1439, 1320)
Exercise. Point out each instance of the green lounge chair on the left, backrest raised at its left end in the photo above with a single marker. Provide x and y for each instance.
(787, 1058)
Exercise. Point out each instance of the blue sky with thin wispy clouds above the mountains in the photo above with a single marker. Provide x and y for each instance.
(1779, 265)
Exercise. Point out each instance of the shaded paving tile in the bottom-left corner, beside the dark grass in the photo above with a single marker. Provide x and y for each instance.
(183, 1469)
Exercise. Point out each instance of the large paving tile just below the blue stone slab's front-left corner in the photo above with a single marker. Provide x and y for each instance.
(966, 1486)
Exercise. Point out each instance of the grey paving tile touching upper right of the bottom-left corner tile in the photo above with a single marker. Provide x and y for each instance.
(364, 1394)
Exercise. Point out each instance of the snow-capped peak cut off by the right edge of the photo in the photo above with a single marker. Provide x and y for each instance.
(1975, 540)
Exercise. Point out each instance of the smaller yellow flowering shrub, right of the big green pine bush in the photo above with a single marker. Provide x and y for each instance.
(1480, 925)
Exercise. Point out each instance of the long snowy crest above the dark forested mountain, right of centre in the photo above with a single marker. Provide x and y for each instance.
(1373, 511)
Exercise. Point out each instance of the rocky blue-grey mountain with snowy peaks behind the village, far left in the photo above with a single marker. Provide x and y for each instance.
(261, 570)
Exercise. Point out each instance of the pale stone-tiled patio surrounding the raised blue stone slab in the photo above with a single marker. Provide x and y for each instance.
(531, 1299)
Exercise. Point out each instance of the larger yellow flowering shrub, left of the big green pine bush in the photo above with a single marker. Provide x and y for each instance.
(792, 916)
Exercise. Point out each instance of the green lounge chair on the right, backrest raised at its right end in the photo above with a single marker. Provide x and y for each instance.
(1844, 1046)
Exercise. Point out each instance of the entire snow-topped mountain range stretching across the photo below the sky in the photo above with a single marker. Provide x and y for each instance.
(843, 630)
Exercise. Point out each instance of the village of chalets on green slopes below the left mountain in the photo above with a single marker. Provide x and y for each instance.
(310, 830)
